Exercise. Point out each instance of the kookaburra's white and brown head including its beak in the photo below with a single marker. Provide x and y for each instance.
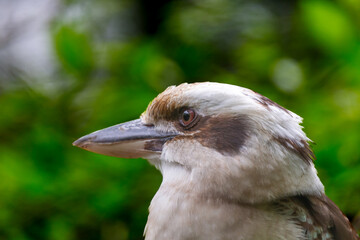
(217, 141)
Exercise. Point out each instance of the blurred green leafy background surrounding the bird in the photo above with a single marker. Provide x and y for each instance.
(70, 67)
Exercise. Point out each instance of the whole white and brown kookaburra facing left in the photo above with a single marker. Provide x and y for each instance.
(235, 165)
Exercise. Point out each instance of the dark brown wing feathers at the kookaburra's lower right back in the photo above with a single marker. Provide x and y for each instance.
(319, 217)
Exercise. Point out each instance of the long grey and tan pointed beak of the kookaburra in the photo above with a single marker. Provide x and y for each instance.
(127, 140)
